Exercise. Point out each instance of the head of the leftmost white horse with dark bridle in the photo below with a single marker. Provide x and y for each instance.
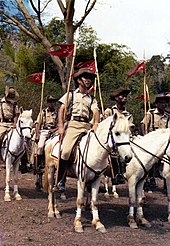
(24, 123)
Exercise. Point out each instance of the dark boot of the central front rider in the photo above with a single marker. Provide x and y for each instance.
(62, 175)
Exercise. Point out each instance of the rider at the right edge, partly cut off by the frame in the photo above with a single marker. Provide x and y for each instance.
(155, 118)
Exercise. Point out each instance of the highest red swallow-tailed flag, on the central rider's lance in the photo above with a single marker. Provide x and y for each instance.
(66, 50)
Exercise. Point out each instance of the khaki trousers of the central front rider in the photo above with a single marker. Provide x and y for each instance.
(74, 129)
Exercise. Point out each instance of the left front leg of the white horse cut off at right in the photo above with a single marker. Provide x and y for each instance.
(132, 202)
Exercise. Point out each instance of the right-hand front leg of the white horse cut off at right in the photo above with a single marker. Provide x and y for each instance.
(140, 217)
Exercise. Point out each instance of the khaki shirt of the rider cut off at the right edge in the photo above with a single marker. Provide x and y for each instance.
(155, 120)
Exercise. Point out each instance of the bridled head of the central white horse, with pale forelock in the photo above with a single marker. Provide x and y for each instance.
(119, 137)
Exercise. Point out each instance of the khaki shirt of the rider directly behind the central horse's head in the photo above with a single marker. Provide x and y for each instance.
(110, 111)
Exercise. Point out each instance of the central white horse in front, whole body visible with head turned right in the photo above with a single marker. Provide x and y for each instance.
(92, 161)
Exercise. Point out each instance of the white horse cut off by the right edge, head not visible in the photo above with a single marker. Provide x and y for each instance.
(147, 151)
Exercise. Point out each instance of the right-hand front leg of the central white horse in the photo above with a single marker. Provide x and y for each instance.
(96, 221)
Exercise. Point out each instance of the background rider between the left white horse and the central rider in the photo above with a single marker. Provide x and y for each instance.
(45, 124)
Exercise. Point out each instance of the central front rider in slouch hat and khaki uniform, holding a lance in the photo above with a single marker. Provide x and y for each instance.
(83, 108)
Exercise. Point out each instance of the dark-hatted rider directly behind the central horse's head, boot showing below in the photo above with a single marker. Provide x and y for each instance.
(120, 97)
